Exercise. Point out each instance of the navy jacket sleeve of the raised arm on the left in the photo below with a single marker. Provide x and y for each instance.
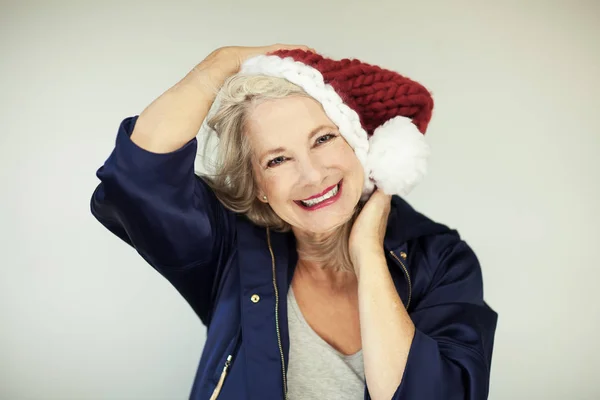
(155, 203)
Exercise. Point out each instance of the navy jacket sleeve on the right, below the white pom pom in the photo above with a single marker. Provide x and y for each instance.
(450, 356)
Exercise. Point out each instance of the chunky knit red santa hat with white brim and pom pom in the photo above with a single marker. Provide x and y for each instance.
(382, 115)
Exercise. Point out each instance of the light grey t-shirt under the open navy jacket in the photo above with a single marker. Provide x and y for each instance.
(316, 370)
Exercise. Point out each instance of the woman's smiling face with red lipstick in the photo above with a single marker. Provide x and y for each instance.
(311, 177)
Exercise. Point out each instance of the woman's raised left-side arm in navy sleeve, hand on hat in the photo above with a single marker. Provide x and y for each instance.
(150, 197)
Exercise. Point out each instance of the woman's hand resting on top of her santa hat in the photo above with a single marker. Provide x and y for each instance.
(226, 61)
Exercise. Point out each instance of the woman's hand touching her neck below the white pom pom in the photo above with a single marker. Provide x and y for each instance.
(368, 231)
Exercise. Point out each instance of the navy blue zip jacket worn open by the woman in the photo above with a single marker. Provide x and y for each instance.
(235, 276)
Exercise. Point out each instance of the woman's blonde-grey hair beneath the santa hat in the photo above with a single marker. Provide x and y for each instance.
(233, 181)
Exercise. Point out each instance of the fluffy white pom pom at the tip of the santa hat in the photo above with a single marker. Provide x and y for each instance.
(398, 155)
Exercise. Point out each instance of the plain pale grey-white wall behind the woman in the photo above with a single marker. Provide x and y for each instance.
(515, 168)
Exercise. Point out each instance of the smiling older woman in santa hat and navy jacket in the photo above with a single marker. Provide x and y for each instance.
(294, 246)
